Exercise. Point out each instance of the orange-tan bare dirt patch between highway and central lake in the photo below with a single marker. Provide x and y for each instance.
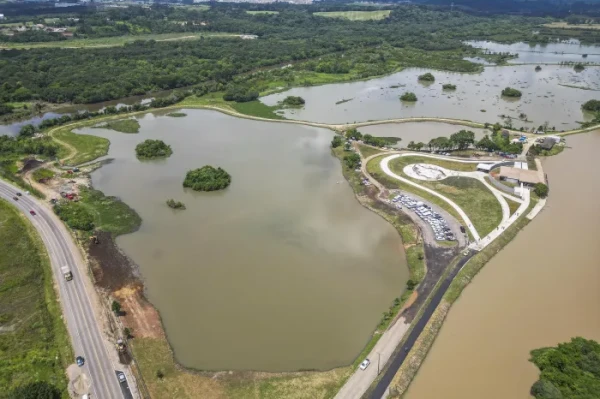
(139, 314)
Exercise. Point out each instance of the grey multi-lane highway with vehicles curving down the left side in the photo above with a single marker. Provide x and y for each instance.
(81, 323)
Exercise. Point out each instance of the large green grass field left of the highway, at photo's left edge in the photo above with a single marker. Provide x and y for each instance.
(35, 345)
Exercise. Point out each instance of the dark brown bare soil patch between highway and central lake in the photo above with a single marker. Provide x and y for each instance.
(111, 268)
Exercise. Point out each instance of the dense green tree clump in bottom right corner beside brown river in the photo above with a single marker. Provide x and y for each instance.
(569, 371)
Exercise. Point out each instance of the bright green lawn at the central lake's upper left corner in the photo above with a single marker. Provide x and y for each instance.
(87, 147)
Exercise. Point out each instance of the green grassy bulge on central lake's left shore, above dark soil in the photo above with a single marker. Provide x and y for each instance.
(109, 213)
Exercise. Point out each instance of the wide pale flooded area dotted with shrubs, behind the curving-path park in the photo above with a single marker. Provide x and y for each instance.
(546, 97)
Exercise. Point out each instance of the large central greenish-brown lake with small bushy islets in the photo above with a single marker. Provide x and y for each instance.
(283, 270)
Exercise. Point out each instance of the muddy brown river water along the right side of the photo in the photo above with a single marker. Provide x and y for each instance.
(542, 289)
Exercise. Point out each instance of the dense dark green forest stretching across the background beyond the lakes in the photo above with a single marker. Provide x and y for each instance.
(410, 36)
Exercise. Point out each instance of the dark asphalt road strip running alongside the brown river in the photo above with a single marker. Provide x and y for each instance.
(398, 358)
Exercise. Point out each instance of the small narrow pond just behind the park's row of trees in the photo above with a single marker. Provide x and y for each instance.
(418, 131)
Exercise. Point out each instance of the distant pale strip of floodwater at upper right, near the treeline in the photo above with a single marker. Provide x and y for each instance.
(551, 53)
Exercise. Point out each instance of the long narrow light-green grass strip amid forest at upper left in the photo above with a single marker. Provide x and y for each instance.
(115, 41)
